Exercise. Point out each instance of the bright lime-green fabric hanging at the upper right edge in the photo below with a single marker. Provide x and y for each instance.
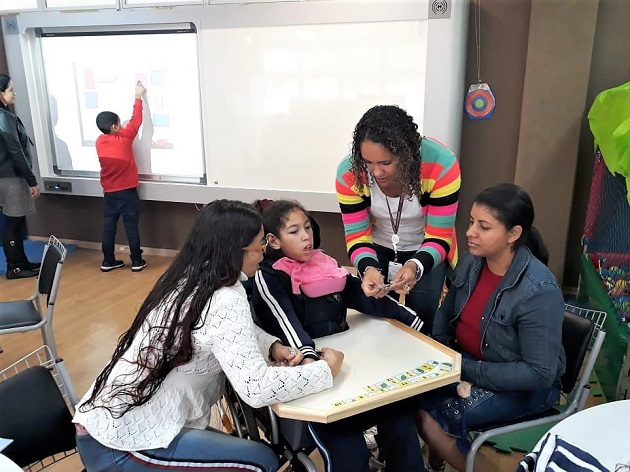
(609, 119)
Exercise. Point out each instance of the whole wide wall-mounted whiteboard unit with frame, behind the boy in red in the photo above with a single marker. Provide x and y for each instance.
(255, 101)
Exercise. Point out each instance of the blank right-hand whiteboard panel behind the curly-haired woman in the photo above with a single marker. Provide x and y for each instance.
(286, 110)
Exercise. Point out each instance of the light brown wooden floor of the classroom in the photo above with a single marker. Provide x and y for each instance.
(93, 309)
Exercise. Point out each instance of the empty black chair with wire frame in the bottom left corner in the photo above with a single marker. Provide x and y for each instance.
(36, 411)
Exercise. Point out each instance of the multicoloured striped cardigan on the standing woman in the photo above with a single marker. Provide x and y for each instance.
(440, 182)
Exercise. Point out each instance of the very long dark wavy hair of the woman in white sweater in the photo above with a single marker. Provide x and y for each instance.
(212, 258)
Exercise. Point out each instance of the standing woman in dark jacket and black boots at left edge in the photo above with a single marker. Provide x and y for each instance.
(18, 185)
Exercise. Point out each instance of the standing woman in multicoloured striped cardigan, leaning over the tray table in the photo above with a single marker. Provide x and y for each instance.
(398, 193)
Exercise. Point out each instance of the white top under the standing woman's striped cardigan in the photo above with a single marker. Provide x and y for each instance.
(412, 220)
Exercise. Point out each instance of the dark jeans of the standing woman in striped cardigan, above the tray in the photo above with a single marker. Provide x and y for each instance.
(425, 296)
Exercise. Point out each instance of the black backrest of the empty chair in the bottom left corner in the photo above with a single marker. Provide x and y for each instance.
(34, 414)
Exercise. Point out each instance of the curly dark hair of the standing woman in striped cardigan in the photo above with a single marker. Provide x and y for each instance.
(394, 129)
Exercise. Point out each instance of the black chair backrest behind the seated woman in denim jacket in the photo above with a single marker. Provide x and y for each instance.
(576, 336)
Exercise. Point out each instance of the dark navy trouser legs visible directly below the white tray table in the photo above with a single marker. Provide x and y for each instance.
(343, 446)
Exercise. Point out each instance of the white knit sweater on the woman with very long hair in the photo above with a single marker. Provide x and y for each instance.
(227, 341)
